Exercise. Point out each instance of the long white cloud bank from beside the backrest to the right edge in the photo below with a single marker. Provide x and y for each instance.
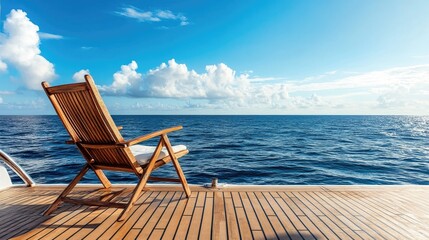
(220, 87)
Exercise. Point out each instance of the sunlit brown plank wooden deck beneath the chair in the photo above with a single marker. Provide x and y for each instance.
(253, 212)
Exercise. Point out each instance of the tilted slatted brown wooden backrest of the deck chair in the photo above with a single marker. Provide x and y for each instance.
(87, 120)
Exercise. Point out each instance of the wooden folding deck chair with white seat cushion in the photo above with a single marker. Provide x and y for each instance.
(84, 115)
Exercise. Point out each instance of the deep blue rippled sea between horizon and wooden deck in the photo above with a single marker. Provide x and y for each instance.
(245, 149)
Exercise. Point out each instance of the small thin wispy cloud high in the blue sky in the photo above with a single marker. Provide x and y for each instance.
(152, 16)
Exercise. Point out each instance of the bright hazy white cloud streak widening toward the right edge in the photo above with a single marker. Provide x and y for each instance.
(402, 90)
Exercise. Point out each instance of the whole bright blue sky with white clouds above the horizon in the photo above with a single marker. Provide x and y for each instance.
(220, 57)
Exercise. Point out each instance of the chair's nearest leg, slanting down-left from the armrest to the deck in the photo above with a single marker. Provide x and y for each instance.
(142, 182)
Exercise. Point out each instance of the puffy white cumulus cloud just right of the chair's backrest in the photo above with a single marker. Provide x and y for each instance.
(174, 80)
